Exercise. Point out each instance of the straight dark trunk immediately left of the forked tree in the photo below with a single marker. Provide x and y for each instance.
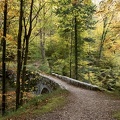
(19, 64)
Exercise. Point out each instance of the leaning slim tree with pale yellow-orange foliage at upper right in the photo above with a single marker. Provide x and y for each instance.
(108, 11)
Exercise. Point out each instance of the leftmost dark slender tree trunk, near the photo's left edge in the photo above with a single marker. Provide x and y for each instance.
(4, 60)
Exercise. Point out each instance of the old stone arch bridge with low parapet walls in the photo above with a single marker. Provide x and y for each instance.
(48, 84)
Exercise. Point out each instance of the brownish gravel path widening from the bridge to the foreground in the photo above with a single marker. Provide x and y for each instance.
(84, 105)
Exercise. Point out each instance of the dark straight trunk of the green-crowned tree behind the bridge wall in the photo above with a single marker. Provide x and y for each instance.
(76, 49)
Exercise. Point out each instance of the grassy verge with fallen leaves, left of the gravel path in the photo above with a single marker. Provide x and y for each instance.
(39, 105)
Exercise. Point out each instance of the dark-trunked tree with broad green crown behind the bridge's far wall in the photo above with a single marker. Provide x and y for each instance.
(75, 17)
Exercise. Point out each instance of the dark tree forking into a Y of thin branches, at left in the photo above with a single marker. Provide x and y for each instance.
(29, 25)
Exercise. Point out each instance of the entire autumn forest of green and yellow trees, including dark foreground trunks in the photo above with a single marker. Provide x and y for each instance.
(74, 38)
